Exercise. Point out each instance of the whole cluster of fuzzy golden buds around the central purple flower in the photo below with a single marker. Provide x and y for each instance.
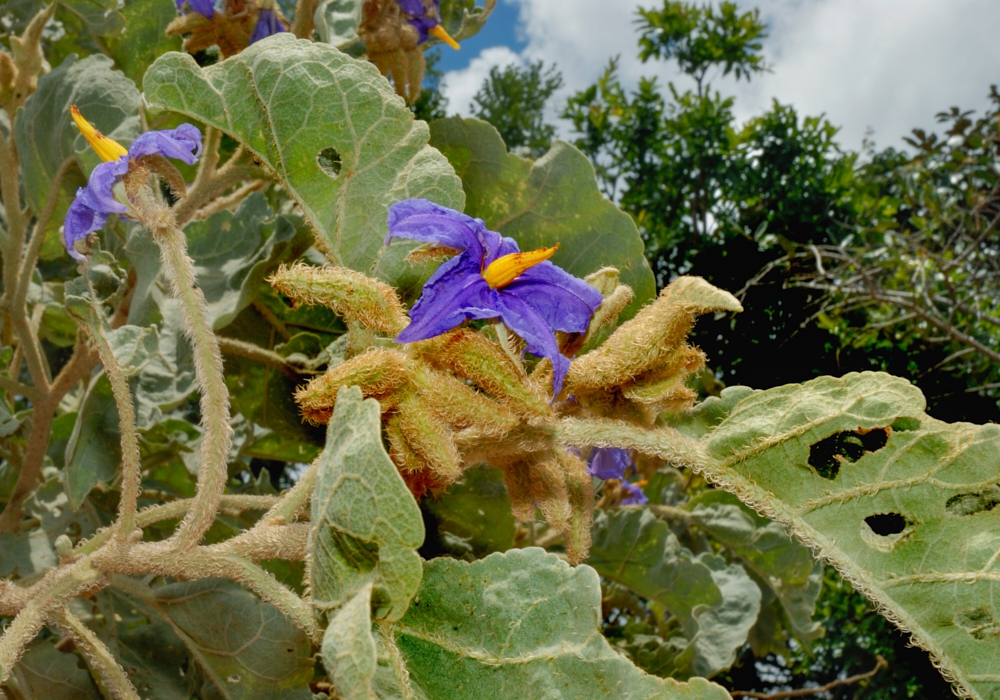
(461, 398)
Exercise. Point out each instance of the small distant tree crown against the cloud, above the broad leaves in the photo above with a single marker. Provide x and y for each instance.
(513, 99)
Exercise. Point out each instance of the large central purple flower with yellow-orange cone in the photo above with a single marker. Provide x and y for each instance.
(491, 278)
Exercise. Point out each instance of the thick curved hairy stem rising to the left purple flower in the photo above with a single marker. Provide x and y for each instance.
(216, 431)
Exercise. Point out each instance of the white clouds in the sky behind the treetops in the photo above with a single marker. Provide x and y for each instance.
(890, 65)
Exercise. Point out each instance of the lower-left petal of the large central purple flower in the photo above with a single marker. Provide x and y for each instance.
(455, 293)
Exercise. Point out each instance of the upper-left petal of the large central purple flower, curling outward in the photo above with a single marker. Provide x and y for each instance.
(421, 220)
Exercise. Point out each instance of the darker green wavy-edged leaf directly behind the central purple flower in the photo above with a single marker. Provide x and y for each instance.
(539, 203)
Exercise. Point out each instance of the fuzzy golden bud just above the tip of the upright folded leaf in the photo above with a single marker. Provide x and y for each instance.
(379, 372)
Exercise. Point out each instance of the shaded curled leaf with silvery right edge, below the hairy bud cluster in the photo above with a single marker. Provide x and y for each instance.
(716, 603)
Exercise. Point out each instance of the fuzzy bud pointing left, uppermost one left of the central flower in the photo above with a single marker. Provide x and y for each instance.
(352, 295)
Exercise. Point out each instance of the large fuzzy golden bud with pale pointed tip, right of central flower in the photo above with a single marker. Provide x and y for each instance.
(648, 341)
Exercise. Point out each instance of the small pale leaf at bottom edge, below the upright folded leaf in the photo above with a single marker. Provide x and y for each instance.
(348, 648)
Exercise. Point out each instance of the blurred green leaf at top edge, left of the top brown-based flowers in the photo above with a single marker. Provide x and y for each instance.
(144, 38)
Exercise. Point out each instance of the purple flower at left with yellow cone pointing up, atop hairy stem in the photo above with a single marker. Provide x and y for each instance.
(89, 211)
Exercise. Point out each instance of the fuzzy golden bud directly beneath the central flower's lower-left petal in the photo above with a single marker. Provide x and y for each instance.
(484, 363)
